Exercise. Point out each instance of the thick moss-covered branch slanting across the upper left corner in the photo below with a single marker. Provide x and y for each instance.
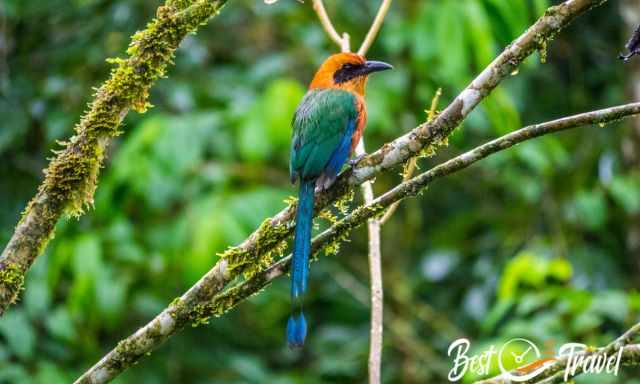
(71, 177)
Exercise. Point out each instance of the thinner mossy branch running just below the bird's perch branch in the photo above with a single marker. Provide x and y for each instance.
(199, 304)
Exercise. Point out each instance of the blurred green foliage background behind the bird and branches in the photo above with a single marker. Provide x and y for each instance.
(536, 242)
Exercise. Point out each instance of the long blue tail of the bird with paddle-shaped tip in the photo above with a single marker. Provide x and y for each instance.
(297, 325)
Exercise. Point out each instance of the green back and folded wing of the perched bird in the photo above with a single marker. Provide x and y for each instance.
(319, 124)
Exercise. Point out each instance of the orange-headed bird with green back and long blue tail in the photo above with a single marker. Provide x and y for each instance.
(327, 126)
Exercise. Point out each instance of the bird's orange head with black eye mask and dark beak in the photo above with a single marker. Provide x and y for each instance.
(348, 71)
